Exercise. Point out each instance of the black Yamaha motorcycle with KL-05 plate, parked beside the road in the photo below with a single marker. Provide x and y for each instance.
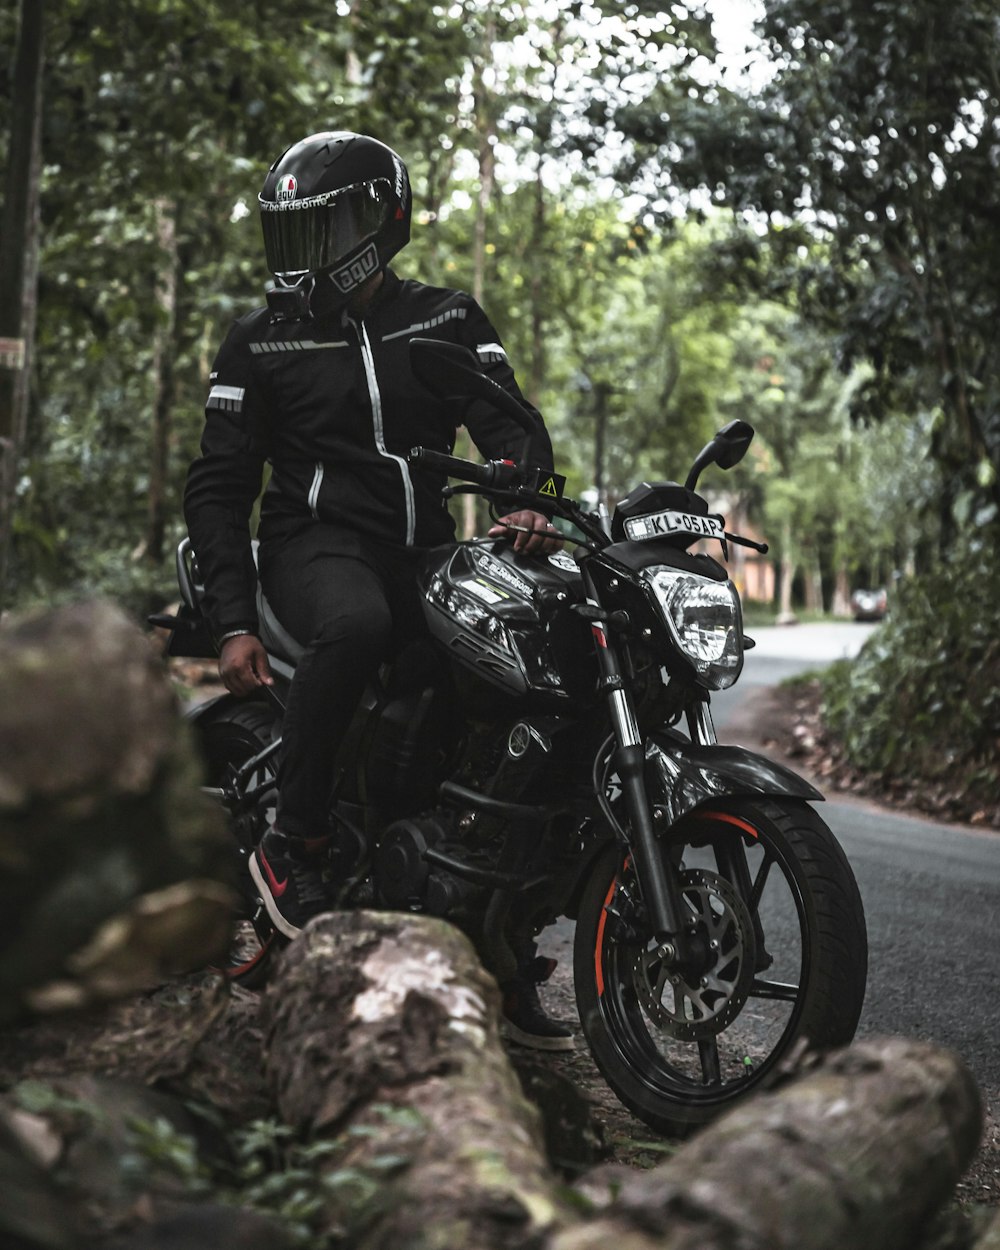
(551, 753)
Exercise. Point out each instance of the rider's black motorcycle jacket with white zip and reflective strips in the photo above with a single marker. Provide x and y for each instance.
(333, 407)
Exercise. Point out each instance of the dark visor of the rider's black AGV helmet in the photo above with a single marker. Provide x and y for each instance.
(307, 237)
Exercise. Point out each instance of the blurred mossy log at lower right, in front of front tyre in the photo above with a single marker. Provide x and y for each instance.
(863, 1152)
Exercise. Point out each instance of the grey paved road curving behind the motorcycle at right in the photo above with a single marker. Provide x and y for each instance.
(932, 892)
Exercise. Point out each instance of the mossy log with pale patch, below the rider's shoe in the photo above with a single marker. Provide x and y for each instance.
(383, 1033)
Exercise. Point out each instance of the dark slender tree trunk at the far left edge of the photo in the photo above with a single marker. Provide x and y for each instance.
(19, 244)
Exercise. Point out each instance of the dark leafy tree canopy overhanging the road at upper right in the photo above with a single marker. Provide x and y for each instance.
(877, 136)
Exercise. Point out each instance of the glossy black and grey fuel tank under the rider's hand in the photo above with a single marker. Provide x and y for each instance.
(507, 621)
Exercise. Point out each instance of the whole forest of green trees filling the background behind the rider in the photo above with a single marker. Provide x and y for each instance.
(674, 219)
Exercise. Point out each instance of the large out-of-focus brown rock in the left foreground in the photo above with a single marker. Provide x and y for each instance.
(113, 866)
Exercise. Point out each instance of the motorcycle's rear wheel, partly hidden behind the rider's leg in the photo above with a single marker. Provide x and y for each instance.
(231, 741)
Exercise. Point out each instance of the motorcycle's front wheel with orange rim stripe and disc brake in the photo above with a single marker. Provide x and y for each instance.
(782, 954)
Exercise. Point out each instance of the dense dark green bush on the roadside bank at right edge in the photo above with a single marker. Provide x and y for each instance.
(923, 698)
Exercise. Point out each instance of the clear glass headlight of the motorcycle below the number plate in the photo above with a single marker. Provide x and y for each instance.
(704, 619)
